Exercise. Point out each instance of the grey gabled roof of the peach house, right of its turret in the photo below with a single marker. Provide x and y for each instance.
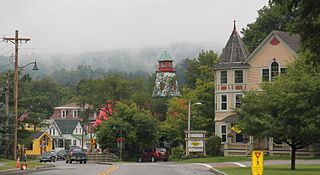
(291, 41)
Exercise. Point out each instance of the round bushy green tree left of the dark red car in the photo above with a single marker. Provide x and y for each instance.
(136, 126)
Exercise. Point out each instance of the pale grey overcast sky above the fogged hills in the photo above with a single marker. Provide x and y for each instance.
(95, 25)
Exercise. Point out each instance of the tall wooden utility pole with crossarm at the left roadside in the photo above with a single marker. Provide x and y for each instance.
(15, 41)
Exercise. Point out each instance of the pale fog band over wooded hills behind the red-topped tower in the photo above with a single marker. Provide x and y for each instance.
(124, 60)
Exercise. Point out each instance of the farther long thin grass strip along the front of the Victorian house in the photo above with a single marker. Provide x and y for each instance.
(210, 159)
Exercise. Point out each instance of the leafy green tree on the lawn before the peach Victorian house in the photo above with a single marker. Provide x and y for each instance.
(287, 109)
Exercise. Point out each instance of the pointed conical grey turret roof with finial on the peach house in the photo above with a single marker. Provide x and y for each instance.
(235, 51)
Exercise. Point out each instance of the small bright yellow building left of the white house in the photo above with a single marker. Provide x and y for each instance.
(41, 142)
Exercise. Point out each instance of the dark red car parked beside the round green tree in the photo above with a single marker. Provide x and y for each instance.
(154, 155)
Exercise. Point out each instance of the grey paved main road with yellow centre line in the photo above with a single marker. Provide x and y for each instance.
(157, 168)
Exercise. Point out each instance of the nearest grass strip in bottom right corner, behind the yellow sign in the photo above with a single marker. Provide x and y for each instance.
(275, 170)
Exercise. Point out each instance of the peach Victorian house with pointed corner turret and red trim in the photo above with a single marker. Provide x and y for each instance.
(239, 71)
